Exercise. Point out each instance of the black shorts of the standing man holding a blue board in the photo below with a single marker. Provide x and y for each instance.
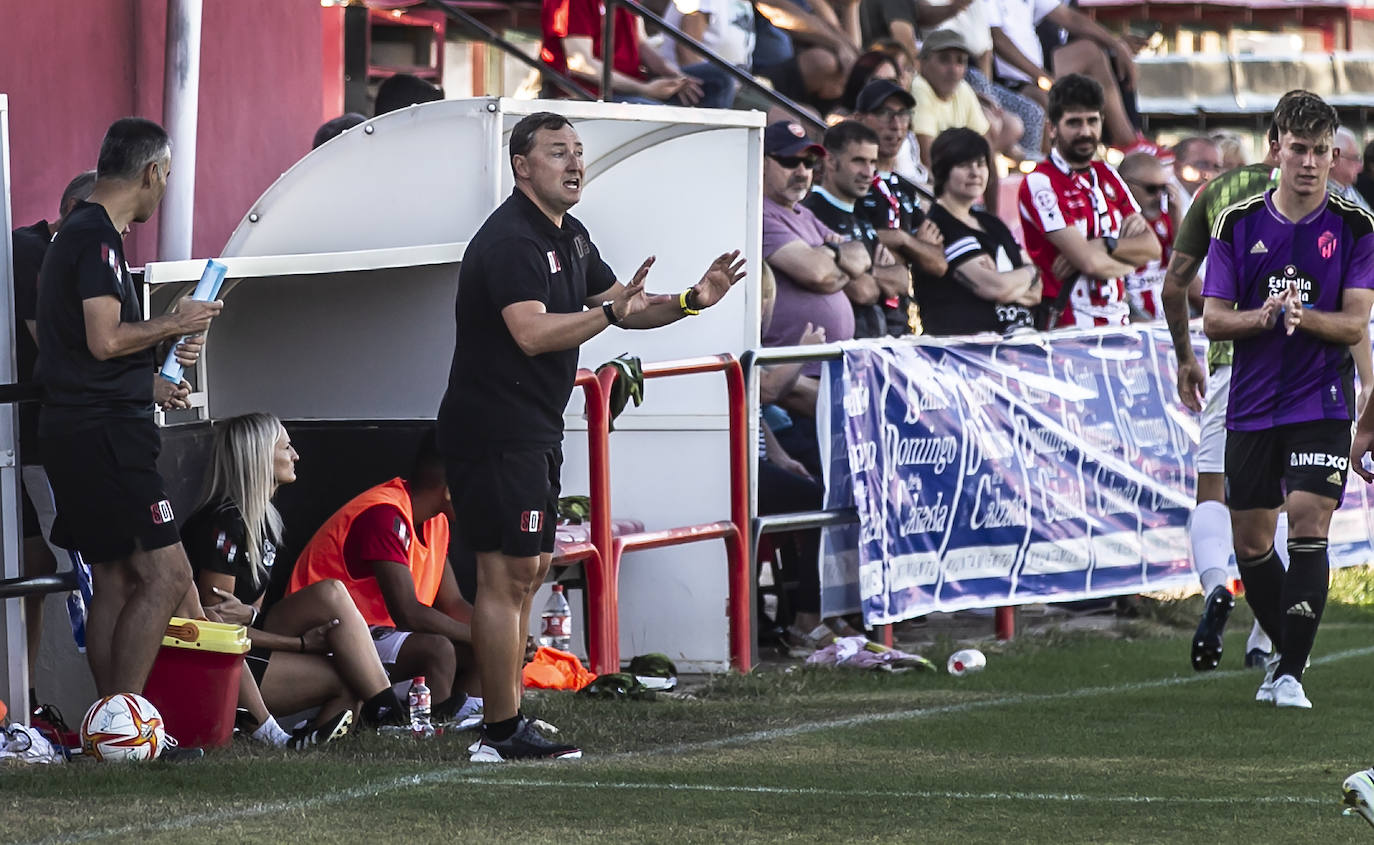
(108, 490)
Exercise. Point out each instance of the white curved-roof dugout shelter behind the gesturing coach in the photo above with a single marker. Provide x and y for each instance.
(340, 319)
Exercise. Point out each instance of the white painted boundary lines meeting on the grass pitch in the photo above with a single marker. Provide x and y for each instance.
(468, 774)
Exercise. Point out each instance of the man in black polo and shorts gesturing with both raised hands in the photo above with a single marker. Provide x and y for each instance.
(532, 291)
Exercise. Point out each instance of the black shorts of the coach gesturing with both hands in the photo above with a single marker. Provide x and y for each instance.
(508, 501)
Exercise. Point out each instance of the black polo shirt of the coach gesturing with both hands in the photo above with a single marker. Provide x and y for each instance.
(498, 396)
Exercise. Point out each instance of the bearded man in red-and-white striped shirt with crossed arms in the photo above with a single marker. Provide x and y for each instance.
(1082, 226)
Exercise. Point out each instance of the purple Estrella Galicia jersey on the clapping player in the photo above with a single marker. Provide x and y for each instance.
(1280, 379)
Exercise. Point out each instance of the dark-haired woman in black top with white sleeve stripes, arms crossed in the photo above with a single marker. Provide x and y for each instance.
(990, 284)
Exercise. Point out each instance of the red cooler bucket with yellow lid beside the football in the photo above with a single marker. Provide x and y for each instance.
(196, 681)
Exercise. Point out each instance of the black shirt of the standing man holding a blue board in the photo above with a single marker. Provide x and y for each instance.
(86, 262)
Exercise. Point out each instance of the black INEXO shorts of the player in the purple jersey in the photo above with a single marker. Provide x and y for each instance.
(1262, 466)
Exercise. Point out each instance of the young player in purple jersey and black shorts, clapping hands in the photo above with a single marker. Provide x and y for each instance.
(1289, 278)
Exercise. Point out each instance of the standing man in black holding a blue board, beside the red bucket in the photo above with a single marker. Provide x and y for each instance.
(100, 442)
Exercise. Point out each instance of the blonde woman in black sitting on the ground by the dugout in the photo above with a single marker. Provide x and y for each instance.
(314, 651)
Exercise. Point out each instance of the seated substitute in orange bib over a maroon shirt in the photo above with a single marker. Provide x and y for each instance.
(390, 548)
